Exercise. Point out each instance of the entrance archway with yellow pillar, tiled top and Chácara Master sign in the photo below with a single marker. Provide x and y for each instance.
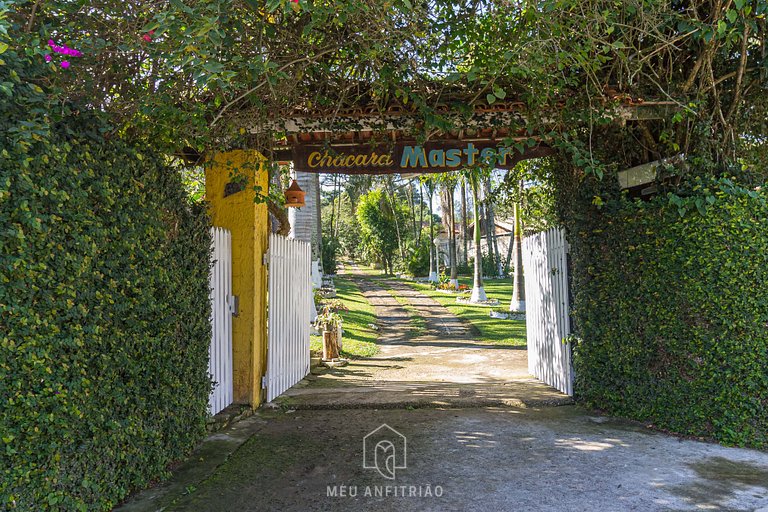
(350, 142)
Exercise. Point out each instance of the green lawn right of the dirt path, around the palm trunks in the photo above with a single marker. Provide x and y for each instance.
(492, 330)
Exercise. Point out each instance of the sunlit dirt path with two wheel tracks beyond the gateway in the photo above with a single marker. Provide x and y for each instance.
(445, 365)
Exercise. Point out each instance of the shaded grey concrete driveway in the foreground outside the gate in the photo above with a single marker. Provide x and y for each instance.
(492, 459)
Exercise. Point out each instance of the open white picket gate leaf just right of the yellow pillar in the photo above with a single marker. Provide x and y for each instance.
(289, 300)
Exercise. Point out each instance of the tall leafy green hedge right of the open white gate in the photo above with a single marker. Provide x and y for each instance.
(671, 311)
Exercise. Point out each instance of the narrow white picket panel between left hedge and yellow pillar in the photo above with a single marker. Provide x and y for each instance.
(220, 350)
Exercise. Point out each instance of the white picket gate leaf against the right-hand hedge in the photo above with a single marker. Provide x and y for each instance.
(547, 308)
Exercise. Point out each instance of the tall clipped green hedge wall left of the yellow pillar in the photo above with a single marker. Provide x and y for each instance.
(104, 308)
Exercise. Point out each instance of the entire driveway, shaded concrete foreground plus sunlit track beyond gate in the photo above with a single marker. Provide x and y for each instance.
(477, 434)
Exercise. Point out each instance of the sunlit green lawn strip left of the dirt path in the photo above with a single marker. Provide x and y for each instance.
(359, 340)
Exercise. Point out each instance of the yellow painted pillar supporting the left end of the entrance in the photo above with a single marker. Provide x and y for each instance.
(230, 178)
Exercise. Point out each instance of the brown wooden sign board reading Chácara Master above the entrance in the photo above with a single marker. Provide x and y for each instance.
(404, 158)
